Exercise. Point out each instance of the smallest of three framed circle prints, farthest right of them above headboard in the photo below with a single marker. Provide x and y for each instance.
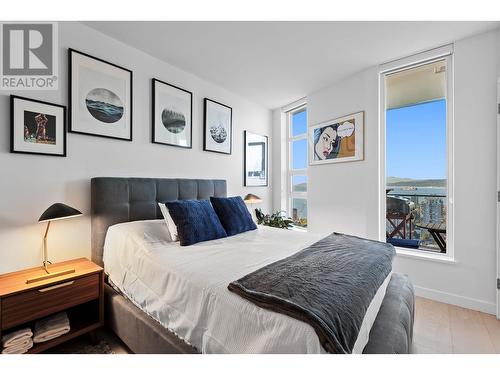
(218, 131)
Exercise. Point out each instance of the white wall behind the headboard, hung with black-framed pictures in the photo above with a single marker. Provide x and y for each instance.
(30, 183)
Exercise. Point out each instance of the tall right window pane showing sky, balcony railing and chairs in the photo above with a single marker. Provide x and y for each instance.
(418, 163)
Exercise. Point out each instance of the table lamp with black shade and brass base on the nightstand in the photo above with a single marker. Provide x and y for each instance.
(57, 211)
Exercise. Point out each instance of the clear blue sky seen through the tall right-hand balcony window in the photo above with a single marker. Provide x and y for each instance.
(416, 141)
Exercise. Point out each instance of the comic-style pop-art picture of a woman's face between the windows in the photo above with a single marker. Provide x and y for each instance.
(337, 140)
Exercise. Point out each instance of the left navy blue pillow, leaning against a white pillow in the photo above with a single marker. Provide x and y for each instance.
(196, 221)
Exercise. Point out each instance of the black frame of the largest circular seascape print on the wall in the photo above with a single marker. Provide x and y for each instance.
(71, 52)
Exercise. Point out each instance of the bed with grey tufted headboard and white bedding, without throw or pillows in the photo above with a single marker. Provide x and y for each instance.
(141, 273)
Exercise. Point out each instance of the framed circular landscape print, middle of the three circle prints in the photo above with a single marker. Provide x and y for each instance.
(172, 115)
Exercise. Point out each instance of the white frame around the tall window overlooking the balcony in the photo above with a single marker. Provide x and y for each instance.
(442, 53)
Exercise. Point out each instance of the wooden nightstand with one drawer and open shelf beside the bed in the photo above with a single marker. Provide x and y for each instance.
(80, 294)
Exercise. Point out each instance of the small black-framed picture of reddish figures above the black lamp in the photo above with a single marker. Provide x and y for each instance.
(37, 127)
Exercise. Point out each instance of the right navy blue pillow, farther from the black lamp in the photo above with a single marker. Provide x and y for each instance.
(233, 214)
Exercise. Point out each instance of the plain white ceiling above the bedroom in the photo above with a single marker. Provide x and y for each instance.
(275, 63)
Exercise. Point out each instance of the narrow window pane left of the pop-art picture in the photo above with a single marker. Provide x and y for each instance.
(297, 165)
